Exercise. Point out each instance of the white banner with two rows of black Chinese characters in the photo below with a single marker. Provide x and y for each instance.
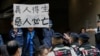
(31, 15)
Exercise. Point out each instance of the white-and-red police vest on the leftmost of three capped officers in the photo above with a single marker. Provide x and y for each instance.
(61, 50)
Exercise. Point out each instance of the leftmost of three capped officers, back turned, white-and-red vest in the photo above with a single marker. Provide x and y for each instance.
(58, 48)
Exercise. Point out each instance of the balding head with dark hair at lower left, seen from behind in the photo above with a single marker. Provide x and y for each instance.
(12, 48)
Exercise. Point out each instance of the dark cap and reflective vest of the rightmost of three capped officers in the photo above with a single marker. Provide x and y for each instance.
(87, 49)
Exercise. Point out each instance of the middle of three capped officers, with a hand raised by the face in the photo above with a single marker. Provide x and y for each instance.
(73, 40)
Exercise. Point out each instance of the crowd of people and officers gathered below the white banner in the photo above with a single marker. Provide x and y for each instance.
(53, 43)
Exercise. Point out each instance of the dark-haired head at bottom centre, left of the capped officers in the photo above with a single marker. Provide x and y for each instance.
(42, 51)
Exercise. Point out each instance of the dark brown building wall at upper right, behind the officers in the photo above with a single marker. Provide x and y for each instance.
(83, 13)
